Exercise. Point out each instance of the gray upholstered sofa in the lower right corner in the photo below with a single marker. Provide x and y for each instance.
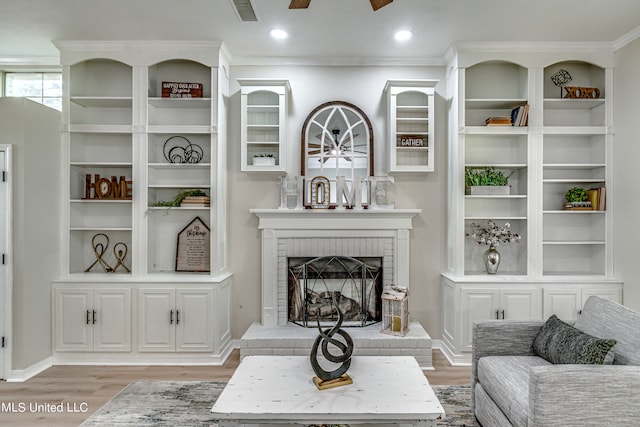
(512, 386)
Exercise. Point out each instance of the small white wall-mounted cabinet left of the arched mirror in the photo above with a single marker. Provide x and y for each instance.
(263, 124)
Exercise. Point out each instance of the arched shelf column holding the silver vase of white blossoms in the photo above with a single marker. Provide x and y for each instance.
(495, 88)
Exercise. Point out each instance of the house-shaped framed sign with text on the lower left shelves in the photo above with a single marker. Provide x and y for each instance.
(193, 249)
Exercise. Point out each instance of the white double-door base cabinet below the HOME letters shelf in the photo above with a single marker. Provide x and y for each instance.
(92, 319)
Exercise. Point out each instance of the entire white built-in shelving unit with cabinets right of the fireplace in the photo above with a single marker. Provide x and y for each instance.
(564, 256)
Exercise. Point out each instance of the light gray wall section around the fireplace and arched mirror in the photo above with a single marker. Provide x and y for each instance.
(364, 87)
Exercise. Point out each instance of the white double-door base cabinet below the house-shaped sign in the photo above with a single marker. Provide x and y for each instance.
(175, 320)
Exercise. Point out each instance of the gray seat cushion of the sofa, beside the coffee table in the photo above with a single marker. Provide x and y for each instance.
(506, 380)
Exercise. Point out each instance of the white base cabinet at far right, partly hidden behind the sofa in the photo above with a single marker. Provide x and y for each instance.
(566, 302)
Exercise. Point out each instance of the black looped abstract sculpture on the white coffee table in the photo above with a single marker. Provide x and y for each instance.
(346, 348)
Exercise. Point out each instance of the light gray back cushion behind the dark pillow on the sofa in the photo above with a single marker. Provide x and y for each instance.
(606, 319)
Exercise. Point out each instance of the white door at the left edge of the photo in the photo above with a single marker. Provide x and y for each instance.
(5, 263)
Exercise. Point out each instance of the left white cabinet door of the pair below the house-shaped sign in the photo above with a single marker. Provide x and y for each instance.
(156, 320)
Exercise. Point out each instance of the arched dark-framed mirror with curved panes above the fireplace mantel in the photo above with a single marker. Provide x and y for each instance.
(337, 140)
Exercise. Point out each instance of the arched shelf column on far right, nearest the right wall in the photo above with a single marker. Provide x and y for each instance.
(577, 140)
